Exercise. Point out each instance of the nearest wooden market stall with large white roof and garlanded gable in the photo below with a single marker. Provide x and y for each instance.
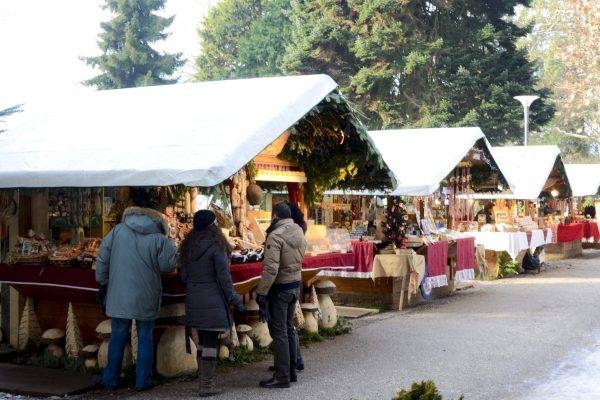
(69, 166)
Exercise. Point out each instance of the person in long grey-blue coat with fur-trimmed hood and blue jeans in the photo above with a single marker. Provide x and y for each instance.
(132, 257)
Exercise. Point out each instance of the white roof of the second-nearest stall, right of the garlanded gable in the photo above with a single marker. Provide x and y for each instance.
(422, 158)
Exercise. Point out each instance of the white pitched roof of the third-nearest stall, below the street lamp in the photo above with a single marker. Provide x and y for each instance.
(531, 170)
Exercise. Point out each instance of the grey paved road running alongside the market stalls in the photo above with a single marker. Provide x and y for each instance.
(499, 340)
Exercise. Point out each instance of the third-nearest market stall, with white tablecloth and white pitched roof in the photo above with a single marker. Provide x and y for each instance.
(533, 215)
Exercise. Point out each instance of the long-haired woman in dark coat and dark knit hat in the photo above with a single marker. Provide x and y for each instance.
(205, 256)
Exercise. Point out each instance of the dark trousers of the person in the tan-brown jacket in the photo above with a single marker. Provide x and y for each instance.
(282, 306)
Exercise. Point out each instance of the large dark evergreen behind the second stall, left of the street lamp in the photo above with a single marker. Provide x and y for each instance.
(421, 63)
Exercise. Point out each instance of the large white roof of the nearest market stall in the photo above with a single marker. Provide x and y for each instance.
(196, 134)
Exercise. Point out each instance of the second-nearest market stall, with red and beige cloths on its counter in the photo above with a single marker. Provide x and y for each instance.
(433, 167)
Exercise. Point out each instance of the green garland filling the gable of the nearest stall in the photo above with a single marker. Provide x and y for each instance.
(332, 147)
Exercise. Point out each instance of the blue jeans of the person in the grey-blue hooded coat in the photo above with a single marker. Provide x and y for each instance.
(118, 338)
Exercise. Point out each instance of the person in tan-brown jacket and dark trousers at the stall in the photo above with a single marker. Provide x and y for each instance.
(279, 290)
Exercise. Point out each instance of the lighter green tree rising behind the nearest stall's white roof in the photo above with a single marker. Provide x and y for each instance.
(243, 39)
